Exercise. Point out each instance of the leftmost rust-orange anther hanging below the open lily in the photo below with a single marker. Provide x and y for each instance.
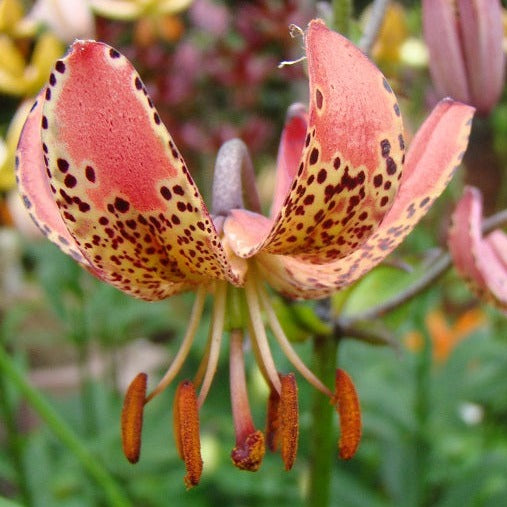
(132, 417)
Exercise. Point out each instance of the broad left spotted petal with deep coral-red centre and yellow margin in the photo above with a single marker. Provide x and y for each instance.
(123, 189)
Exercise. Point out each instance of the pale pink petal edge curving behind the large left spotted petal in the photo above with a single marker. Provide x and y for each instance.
(34, 186)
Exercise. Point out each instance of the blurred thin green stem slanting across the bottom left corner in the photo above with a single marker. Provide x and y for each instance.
(63, 431)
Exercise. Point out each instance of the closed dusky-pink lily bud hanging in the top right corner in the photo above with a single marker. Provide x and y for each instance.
(464, 39)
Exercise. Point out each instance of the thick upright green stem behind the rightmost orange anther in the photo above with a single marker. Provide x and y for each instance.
(323, 445)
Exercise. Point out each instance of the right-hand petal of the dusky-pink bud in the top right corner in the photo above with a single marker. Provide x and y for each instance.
(481, 24)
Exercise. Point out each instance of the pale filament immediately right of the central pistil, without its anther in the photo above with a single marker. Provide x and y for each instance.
(259, 333)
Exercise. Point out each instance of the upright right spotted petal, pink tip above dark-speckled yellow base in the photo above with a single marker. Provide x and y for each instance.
(351, 162)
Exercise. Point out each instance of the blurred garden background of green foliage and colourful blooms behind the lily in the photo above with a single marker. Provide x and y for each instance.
(433, 394)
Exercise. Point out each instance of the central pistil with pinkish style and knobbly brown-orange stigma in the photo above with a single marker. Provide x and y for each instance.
(249, 450)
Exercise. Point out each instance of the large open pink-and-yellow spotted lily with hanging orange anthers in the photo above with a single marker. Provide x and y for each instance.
(103, 179)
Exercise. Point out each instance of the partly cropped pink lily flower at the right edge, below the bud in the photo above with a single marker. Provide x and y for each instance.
(481, 261)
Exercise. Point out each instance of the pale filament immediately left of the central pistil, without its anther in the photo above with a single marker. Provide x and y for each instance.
(217, 328)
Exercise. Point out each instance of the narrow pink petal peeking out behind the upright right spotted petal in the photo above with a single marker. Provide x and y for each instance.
(289, 154)
